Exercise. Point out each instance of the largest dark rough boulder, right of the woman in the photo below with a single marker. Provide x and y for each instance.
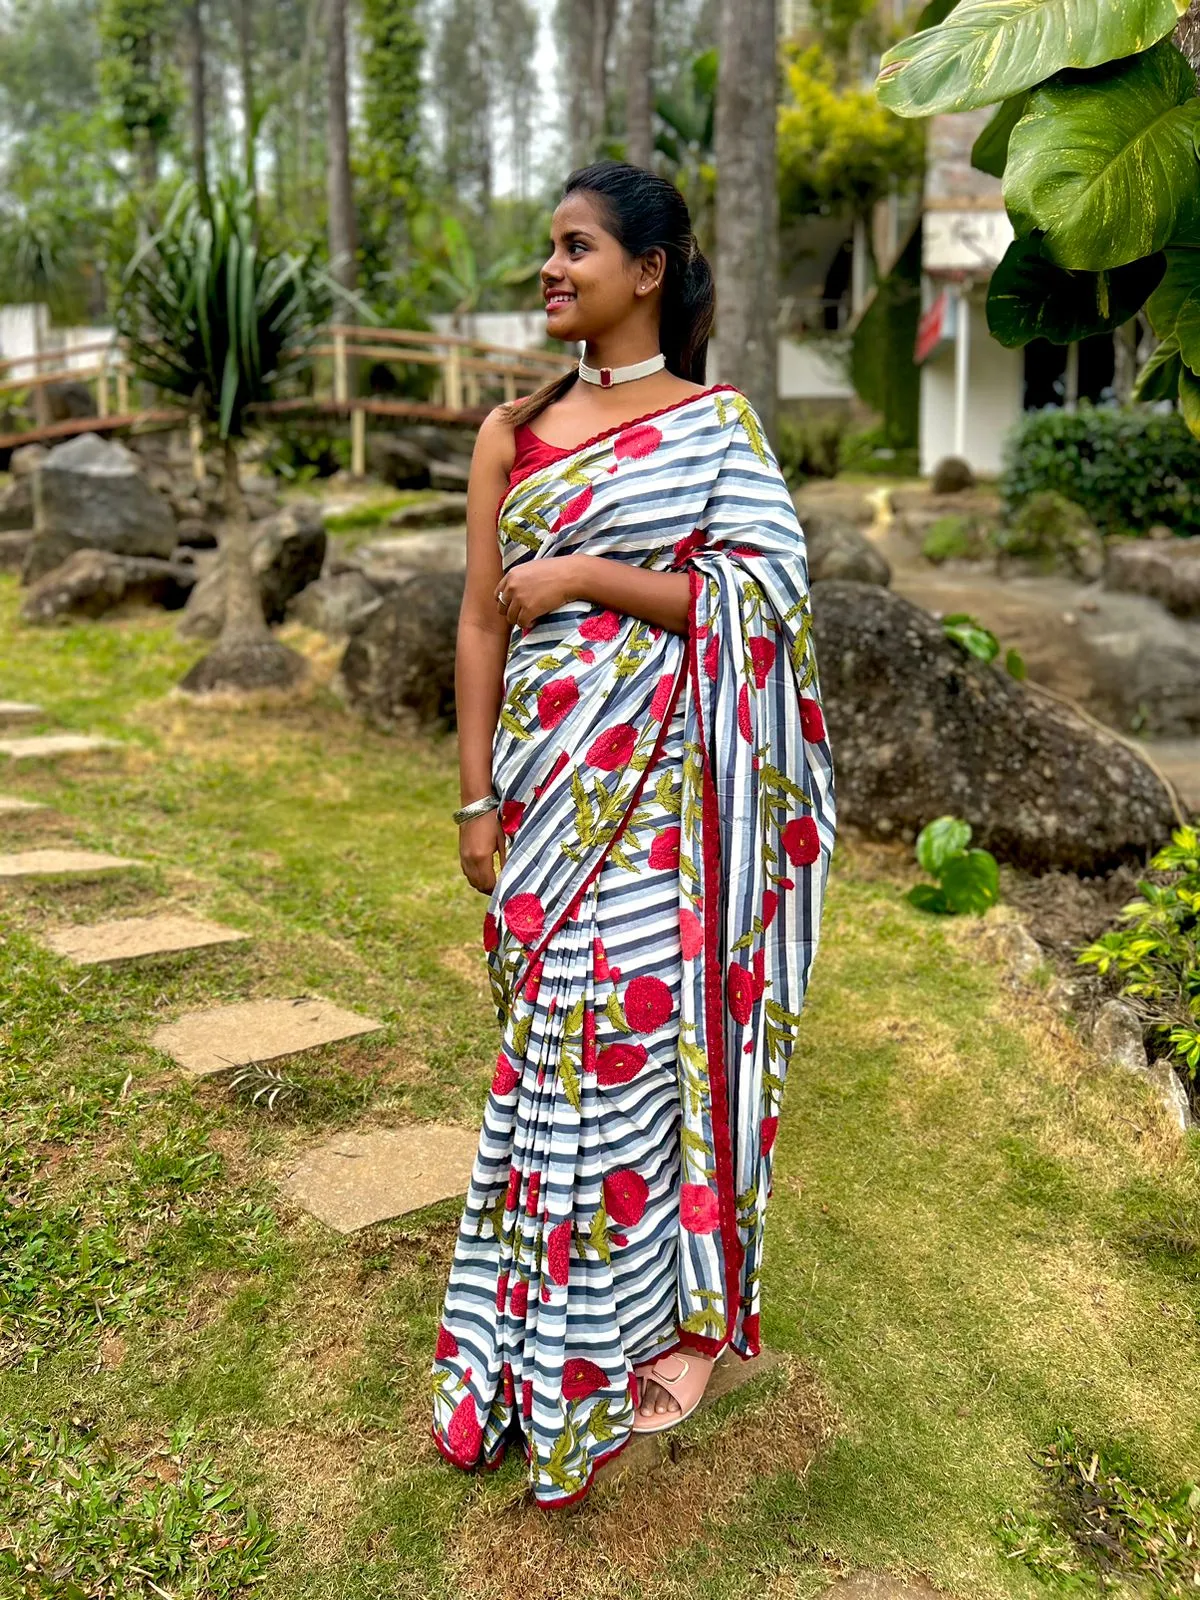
(921, 729)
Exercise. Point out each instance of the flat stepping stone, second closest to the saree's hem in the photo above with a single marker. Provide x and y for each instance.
(250, 1031)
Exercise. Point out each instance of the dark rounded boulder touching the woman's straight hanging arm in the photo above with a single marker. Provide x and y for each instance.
(399, 670)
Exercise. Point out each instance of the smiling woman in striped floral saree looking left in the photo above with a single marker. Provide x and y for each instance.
(642, 750)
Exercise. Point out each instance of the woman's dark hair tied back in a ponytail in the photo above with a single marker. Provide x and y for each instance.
(642, 212)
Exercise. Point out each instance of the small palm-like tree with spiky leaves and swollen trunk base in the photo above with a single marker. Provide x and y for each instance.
(220, 322)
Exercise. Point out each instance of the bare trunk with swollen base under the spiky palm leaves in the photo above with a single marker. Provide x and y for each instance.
(247, 657)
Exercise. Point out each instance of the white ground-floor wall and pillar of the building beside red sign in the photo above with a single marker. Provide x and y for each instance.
(994, 404)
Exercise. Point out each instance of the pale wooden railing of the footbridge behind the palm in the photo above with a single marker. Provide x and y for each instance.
(471, 375)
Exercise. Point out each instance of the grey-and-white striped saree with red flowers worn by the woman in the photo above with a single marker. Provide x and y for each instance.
(670, 807)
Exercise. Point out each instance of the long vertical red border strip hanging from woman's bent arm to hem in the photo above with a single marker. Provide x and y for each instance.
(714, 1010)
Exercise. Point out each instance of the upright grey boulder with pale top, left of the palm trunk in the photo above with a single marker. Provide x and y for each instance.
(90, 495)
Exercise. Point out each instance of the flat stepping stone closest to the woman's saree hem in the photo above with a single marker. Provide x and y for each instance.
(361, 1178)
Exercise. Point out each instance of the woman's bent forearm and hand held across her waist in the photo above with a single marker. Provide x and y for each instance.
(537, 588)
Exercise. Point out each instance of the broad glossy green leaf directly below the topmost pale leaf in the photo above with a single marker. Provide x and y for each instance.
(1106, 167)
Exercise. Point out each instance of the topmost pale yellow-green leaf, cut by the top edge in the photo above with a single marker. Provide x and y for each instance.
(988, 50)
